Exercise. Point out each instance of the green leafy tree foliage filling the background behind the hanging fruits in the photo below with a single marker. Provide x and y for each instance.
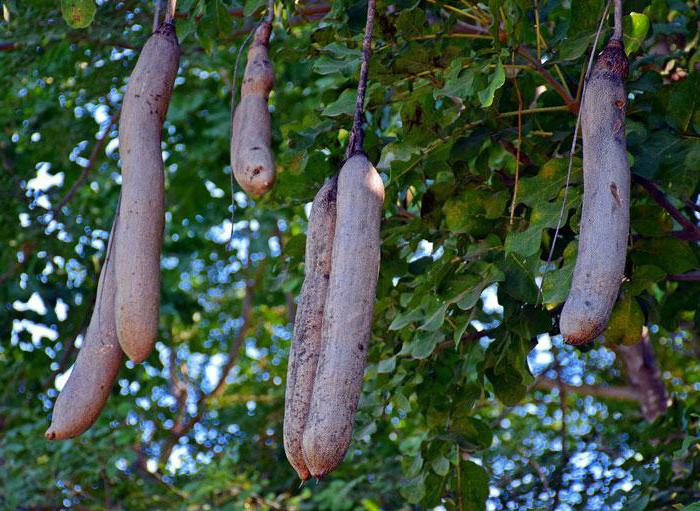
(449, 415)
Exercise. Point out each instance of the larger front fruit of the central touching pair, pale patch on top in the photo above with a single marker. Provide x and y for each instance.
(347, 317)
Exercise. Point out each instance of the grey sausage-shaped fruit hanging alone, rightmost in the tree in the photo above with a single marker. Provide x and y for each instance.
(602, 246)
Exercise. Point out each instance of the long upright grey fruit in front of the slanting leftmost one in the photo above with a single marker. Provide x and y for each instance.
(140, 230)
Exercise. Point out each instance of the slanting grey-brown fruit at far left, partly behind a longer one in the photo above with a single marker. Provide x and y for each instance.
(96, 367)
